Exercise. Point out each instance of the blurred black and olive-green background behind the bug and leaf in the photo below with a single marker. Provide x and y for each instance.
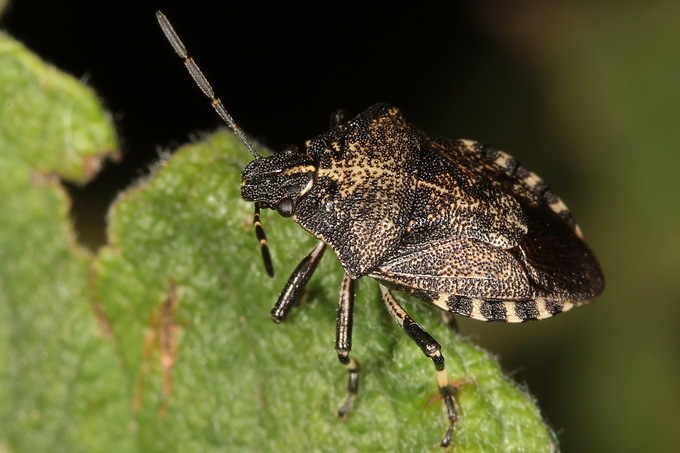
(586, 95)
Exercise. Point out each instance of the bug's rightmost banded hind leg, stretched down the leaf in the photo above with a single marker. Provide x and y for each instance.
(430, 348)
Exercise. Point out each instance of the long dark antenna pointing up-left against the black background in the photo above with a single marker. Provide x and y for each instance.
(201, 81)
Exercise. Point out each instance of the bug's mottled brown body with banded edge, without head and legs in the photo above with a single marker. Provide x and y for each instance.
(454, 222)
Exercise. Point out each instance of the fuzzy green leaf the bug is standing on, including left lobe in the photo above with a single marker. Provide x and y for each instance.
(164, 340)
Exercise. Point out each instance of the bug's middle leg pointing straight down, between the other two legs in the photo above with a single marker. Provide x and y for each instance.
(343, 341)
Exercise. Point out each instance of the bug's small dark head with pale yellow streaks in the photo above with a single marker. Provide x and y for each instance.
(278, 181)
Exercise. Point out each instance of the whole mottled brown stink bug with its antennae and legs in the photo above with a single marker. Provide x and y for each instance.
(456, 223)
